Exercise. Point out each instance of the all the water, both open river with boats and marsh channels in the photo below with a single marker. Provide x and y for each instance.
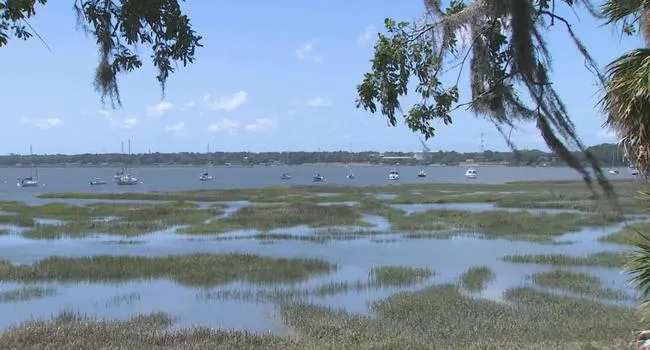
(449, 258)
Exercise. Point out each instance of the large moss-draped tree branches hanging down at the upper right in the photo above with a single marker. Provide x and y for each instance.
(509, 67)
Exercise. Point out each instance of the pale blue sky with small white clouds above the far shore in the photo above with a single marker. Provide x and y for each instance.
(271, 76)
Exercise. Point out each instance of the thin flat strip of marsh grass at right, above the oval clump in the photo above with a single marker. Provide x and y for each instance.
(604, 259)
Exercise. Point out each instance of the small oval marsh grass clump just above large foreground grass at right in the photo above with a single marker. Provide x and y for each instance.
(577, 282)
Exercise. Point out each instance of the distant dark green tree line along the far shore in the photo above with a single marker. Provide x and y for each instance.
(606, 154)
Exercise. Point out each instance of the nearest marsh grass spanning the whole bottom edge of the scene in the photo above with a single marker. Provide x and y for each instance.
(438, 317)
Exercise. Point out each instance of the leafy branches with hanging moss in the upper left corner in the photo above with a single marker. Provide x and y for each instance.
(118, 27)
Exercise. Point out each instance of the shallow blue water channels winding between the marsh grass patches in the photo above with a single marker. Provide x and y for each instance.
(449, 258)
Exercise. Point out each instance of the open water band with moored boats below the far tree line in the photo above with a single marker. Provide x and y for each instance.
(186, 178)
